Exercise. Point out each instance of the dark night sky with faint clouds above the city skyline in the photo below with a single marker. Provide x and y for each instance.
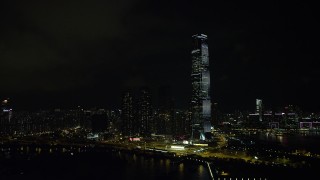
(69, 53)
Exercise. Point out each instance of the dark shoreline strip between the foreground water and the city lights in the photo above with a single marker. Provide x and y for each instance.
(221, 167)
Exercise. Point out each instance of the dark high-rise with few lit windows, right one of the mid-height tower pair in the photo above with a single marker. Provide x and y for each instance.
(144, 111)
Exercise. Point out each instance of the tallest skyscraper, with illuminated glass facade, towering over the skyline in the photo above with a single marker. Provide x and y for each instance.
(200, 78)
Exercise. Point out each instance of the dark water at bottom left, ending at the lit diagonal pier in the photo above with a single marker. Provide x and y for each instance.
(97, 165)
